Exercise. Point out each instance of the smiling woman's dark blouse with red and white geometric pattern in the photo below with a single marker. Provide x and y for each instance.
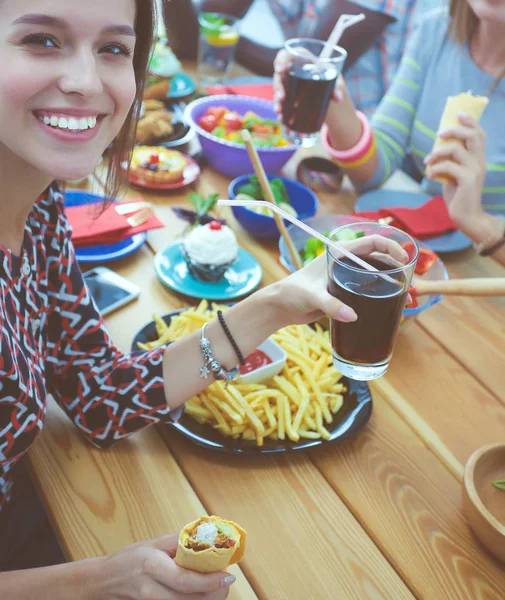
(53, 341)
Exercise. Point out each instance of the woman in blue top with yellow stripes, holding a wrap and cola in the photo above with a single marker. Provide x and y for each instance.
(452, 52)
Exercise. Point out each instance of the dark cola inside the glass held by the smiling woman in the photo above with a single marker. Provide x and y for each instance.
(379, 304)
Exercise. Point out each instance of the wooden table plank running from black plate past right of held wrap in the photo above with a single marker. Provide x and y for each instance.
(302, 540)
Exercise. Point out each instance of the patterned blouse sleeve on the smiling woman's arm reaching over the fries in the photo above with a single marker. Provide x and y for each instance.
(107, 394)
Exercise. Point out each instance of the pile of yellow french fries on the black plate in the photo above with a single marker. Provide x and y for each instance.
(295, 404)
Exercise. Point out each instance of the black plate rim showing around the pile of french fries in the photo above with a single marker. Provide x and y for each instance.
(353, 415)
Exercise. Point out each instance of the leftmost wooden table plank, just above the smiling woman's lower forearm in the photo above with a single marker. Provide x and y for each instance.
(102, 500)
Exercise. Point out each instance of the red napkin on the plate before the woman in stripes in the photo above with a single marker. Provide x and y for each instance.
(429, 220)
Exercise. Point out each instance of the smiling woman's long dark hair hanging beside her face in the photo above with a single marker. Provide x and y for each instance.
(122, 145)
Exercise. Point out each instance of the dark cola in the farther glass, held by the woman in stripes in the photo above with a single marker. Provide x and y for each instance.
(308, 92)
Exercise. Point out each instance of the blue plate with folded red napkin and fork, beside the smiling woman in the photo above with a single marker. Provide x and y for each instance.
(106, 238)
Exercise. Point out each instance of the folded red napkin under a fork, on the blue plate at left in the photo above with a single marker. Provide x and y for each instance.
(109, 227)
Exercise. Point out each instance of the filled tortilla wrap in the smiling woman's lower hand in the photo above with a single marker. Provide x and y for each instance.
(210, 544)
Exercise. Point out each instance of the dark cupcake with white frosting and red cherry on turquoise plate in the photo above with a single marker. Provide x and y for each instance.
(209, 251)
